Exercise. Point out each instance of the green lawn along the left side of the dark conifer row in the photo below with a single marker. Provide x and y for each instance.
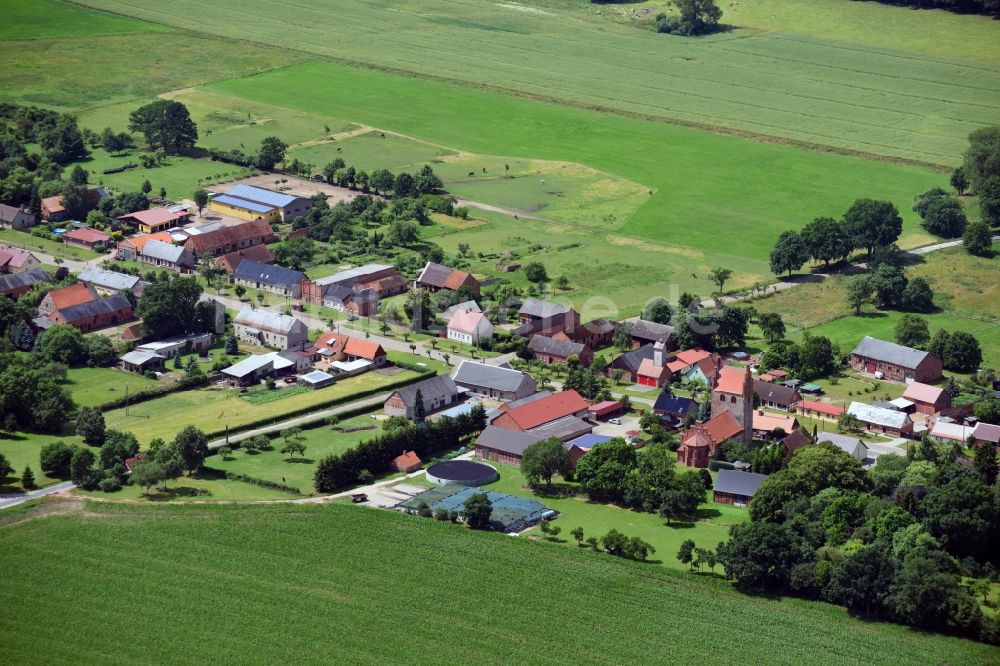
(298, 472)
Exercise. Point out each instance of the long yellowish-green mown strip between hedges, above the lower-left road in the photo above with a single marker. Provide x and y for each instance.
(215, 409)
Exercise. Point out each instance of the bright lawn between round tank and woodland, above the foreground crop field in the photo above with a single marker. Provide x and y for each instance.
(709, 530)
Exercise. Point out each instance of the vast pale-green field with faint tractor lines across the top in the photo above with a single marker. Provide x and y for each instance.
(802, 87)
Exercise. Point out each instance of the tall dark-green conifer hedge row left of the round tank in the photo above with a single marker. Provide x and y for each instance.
(338, 471)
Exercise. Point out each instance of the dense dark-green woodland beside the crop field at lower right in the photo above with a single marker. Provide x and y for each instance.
(892, 543)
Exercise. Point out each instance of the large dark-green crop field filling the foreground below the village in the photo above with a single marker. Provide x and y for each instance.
(278, 577)
